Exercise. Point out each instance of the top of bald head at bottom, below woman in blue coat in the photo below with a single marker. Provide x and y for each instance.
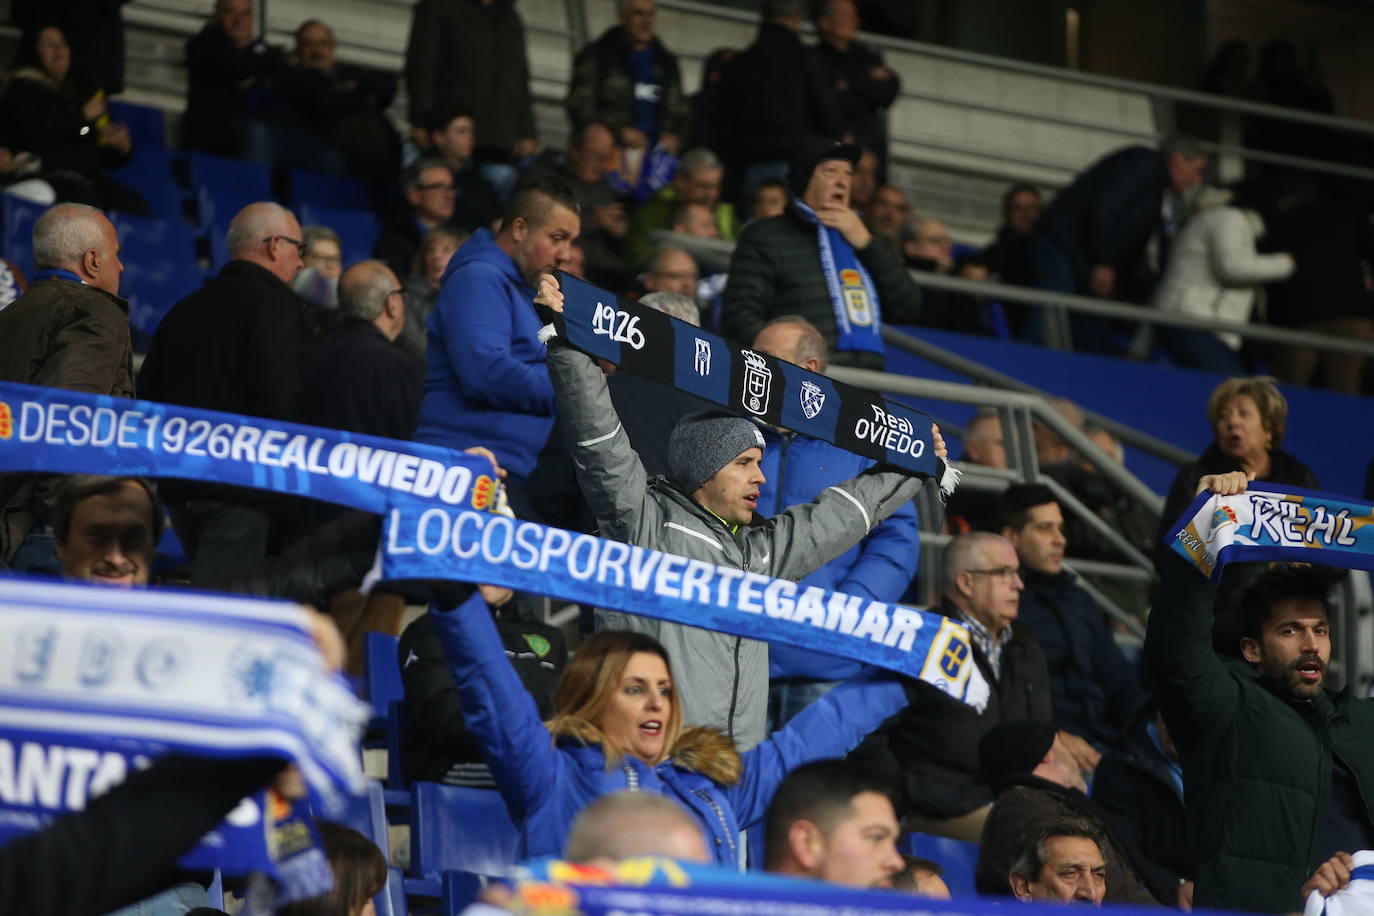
(627, 825)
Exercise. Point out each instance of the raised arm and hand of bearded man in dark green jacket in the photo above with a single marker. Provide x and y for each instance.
(1191, 683)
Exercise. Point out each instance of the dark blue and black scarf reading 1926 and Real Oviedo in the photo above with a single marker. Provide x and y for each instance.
(678, 355)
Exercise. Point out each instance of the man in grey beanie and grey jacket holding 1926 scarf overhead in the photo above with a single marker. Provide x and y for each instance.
(704, 510)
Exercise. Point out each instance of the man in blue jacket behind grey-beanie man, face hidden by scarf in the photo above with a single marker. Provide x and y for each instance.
(798, 468)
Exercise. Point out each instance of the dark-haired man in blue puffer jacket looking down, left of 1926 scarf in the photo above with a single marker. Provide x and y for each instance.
(487, 381)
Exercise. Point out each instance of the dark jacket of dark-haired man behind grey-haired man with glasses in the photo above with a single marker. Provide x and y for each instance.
(1097, 694)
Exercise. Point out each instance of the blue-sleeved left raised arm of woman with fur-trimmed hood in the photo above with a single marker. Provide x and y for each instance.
(499, 712)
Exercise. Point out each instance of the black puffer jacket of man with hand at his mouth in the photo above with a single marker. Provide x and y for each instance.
(777, 271)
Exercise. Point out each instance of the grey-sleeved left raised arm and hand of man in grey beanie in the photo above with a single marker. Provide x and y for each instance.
(609, 470)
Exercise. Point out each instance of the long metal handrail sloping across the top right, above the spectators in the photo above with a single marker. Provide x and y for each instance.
(1191, 97)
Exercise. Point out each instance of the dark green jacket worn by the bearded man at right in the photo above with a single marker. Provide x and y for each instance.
(1257, 764)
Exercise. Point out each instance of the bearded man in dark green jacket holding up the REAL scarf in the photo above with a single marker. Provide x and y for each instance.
(1277, 770)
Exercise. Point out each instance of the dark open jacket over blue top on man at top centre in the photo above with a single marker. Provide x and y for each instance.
(604, 90)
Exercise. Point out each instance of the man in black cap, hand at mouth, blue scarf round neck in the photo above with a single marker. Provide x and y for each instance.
(820, 262)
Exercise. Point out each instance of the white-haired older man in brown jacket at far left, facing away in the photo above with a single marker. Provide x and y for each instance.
(69, 330)
